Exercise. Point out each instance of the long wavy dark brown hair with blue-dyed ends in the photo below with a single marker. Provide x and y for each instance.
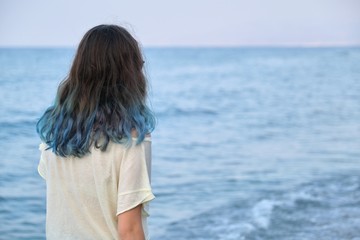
(103, 97)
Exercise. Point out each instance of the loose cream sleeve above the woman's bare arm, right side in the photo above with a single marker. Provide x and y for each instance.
(134, 179)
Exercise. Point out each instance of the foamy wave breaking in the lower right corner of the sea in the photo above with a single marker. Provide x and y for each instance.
(327, 208)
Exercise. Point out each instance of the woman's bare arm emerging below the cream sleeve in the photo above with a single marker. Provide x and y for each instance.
(130, 224)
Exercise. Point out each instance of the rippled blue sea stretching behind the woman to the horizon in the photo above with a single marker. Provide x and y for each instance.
(251, 143)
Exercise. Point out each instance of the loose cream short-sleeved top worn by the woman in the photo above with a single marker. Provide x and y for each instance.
(85, 195)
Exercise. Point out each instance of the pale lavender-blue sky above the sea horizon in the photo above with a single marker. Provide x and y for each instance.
(184, 22)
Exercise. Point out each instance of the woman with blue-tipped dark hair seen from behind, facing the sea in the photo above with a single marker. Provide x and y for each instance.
(96, 143)
